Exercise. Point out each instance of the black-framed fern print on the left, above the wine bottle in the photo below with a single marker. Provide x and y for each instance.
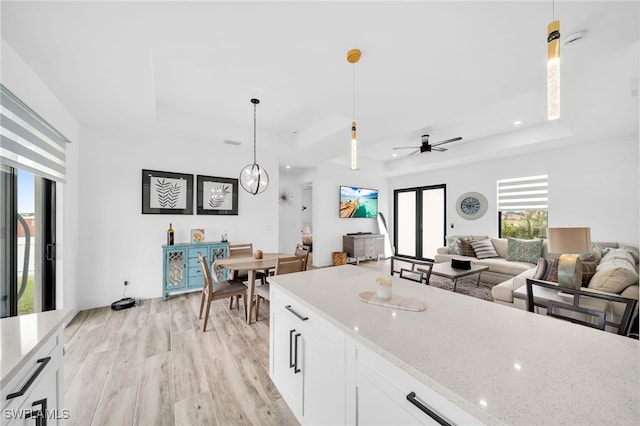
(166, 192)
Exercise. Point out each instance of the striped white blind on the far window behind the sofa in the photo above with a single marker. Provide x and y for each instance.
(521, 194)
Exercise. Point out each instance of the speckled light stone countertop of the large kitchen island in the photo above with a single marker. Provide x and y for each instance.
(498, 363)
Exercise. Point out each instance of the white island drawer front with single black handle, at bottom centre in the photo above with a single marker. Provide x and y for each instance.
(379, 380)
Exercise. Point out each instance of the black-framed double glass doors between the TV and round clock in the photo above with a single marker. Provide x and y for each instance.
(419, 221)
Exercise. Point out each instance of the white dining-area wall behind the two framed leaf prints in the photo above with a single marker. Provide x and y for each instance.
(120, 243)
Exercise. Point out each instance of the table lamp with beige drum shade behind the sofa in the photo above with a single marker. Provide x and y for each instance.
(570, 243)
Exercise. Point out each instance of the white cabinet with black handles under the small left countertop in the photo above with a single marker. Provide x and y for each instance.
(34, 396)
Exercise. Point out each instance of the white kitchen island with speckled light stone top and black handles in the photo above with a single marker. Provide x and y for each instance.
(473, 361)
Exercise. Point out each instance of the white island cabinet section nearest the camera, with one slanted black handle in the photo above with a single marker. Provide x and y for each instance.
(385, 395)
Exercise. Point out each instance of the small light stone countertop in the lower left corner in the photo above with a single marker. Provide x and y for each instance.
(23, 335)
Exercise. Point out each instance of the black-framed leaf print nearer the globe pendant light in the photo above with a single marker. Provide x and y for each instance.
(225, 199)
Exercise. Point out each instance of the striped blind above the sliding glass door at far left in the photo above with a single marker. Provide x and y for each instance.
(27, 141)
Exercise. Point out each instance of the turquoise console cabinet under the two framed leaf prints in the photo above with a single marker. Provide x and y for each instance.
(181, 265)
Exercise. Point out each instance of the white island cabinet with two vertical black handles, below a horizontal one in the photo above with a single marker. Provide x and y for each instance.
(307, 361)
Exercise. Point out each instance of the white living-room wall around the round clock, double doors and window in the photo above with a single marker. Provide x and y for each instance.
(594, 184)
